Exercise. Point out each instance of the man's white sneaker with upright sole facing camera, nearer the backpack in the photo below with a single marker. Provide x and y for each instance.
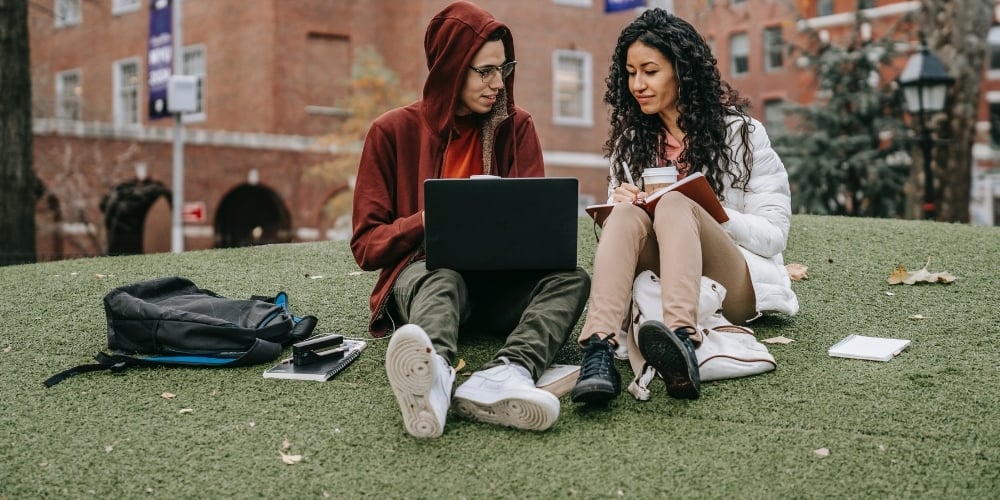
(421, 380)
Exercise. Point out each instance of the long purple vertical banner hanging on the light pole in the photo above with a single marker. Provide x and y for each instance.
(160, 57)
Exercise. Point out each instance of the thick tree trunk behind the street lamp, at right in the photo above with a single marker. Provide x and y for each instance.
(956, 31)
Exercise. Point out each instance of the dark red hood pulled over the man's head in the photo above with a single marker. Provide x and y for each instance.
(453, 37)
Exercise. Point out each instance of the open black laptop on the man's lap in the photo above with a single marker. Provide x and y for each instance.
(496, 224)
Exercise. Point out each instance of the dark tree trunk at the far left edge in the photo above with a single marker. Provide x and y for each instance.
(17, 176)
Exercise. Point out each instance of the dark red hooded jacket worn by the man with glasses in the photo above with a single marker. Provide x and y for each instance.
(406, 146)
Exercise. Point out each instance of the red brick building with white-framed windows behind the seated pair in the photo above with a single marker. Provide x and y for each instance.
(275, 80)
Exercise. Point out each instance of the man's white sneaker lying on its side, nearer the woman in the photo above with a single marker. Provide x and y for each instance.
(504, 396)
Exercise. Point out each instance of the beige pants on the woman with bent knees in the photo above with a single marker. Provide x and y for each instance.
(681, 243)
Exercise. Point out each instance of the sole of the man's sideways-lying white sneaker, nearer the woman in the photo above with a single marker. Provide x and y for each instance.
(532, 411)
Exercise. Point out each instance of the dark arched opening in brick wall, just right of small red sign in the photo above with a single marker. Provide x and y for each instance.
(251, 215)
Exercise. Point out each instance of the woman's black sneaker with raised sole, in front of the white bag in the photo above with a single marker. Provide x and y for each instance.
(672, 354)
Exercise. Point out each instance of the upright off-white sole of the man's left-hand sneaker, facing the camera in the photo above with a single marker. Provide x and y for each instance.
(409, 363)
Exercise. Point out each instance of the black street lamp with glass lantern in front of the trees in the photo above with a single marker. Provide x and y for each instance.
(925, 84)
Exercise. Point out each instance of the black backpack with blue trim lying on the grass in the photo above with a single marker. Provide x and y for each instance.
(170, 321)
